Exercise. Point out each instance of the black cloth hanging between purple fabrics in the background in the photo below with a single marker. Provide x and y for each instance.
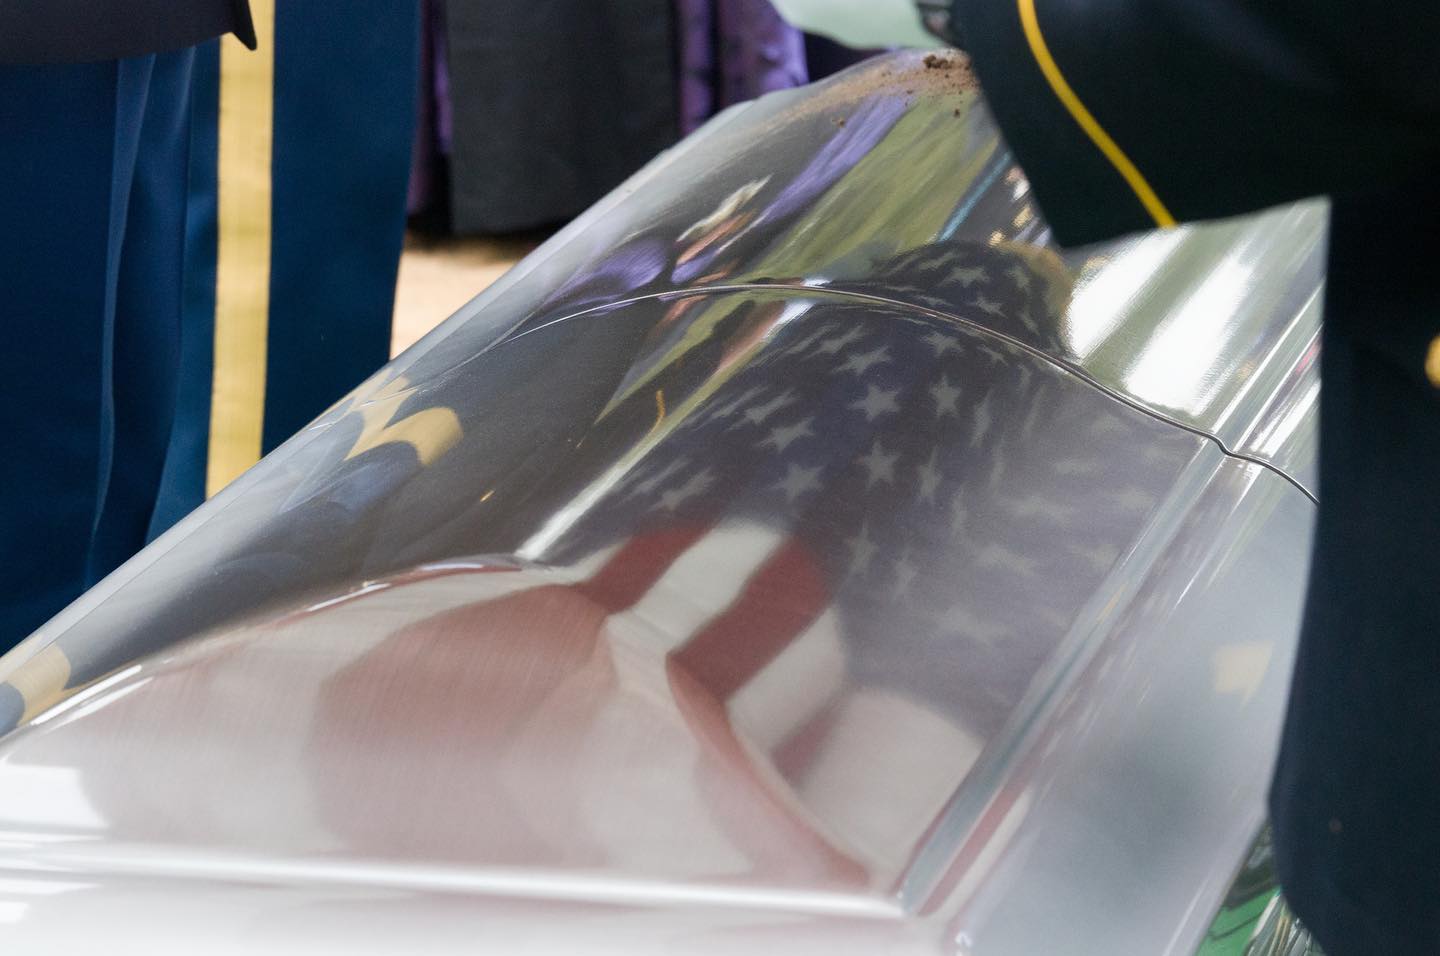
(548, 120)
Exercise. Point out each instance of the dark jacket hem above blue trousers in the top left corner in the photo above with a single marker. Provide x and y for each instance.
(84, 31)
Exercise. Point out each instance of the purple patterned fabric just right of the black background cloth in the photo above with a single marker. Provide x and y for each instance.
(732, 51)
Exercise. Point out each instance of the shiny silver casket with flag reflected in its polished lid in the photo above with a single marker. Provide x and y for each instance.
(793, 556)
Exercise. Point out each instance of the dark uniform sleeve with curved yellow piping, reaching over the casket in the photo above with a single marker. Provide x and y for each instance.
(1133, 114)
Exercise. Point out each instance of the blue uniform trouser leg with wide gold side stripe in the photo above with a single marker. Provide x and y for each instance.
(299, 166)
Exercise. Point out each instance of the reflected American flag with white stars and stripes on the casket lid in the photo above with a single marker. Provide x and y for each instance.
(850, 559)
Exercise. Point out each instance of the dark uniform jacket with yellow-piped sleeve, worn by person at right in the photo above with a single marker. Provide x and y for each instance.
(1134, 114)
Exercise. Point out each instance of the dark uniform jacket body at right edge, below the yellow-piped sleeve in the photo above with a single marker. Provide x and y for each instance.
(1359, 783)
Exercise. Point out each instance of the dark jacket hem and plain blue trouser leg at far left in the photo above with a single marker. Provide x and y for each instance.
(94, 110)
